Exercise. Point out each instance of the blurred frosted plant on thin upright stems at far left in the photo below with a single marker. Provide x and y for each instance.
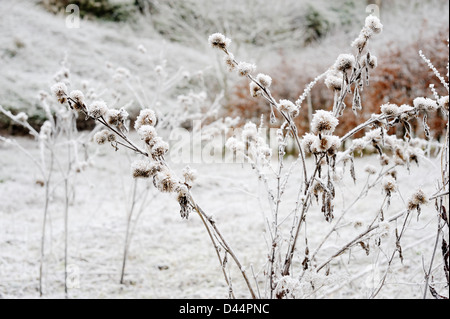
(59, 132)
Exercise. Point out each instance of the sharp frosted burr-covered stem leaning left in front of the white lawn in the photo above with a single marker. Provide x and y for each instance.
(153, 165)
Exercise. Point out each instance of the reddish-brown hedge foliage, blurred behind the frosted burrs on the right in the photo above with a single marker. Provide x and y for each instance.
(400, 77)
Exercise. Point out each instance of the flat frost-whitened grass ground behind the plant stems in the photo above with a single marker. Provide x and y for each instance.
(173, 258)
